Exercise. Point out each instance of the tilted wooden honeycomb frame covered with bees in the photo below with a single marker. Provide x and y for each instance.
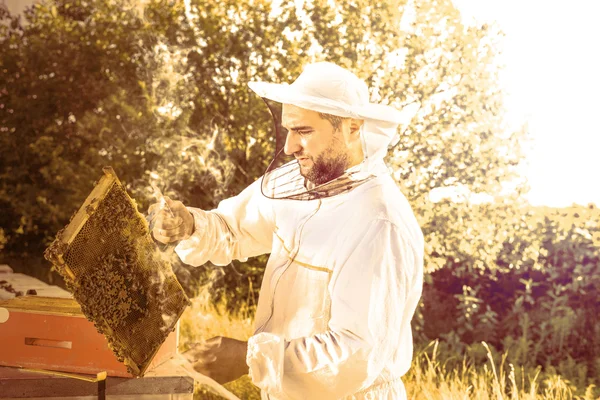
(115, 271)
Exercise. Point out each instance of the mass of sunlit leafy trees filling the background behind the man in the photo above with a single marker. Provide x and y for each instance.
(159, 92)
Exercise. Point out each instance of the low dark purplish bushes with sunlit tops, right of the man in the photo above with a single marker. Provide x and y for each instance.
(526, 282)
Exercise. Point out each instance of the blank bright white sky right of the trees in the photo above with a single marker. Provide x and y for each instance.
(552, 57)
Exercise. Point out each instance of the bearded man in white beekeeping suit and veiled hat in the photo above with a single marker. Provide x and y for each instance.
(345, 272)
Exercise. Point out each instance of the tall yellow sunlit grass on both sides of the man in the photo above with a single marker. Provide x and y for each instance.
(434, 375)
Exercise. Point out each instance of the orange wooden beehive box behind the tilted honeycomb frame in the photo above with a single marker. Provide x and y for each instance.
(52, 333)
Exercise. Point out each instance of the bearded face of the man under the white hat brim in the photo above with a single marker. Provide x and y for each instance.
(320, 149)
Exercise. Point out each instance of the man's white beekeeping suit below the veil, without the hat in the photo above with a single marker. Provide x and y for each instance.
(342, 283)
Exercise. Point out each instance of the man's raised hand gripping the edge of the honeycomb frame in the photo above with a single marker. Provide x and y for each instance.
(171, 226)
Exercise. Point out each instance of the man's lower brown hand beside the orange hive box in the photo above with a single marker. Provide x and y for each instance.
(220, 358)
